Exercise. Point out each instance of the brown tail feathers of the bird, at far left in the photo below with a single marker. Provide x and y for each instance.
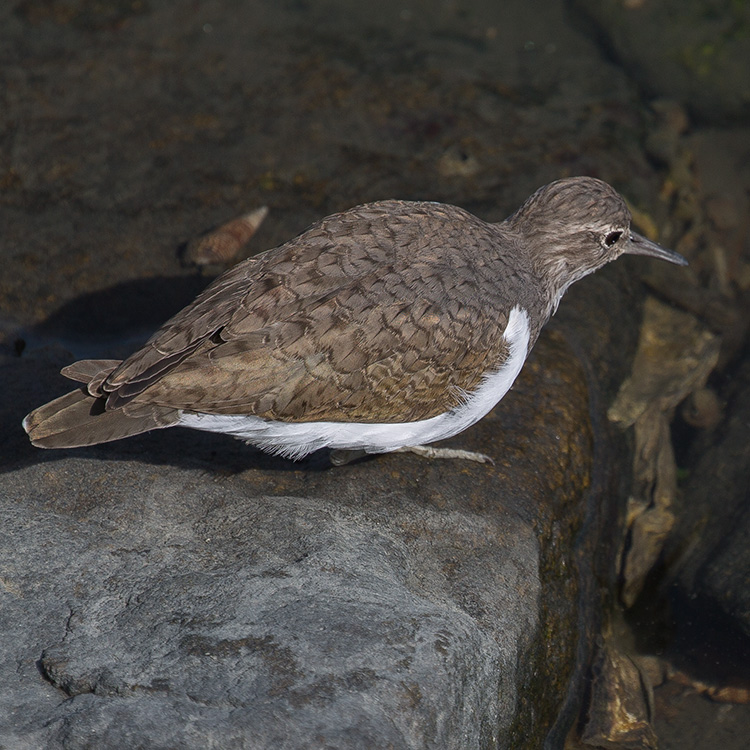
(81, 418)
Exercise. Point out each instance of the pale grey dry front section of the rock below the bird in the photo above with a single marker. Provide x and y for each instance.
(194, 612)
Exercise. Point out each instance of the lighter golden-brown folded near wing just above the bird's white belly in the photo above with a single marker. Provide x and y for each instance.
(334, 365)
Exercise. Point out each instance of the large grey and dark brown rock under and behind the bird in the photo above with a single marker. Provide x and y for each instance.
(182, 590)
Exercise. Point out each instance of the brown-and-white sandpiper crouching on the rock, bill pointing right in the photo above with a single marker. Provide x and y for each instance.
(386, 327)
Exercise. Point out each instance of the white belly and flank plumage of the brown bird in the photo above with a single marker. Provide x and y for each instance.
(297, 439)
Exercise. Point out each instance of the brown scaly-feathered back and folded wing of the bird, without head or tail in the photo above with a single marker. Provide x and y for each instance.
(345, 323)
